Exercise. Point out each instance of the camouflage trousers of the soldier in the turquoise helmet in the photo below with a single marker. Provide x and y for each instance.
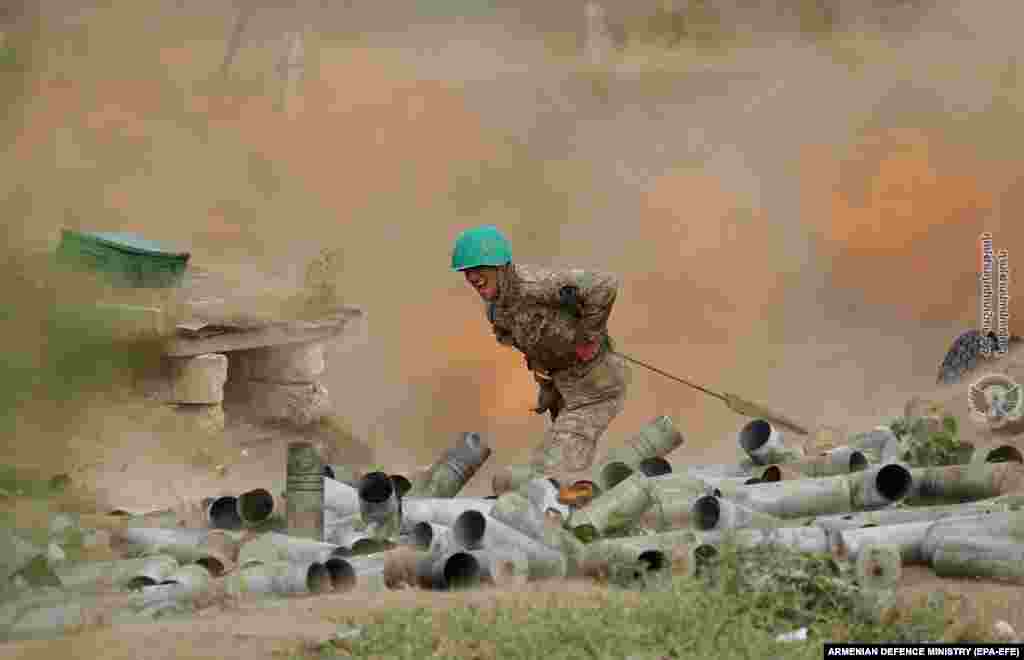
(592, 402)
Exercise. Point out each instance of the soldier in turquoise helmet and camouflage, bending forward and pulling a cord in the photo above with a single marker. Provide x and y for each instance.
(559, 320)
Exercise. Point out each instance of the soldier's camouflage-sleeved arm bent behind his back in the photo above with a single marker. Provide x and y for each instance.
(595, 292)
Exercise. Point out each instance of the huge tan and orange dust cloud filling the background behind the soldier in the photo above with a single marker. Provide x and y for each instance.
(794, 224)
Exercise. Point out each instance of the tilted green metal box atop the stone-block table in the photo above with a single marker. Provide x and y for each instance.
(131, 260)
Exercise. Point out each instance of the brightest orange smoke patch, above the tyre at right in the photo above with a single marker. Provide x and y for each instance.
(899, 219)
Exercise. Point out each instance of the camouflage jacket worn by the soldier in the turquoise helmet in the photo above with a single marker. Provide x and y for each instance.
(532, 314)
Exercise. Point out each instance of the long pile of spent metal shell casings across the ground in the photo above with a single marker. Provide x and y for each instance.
(635, 522)
